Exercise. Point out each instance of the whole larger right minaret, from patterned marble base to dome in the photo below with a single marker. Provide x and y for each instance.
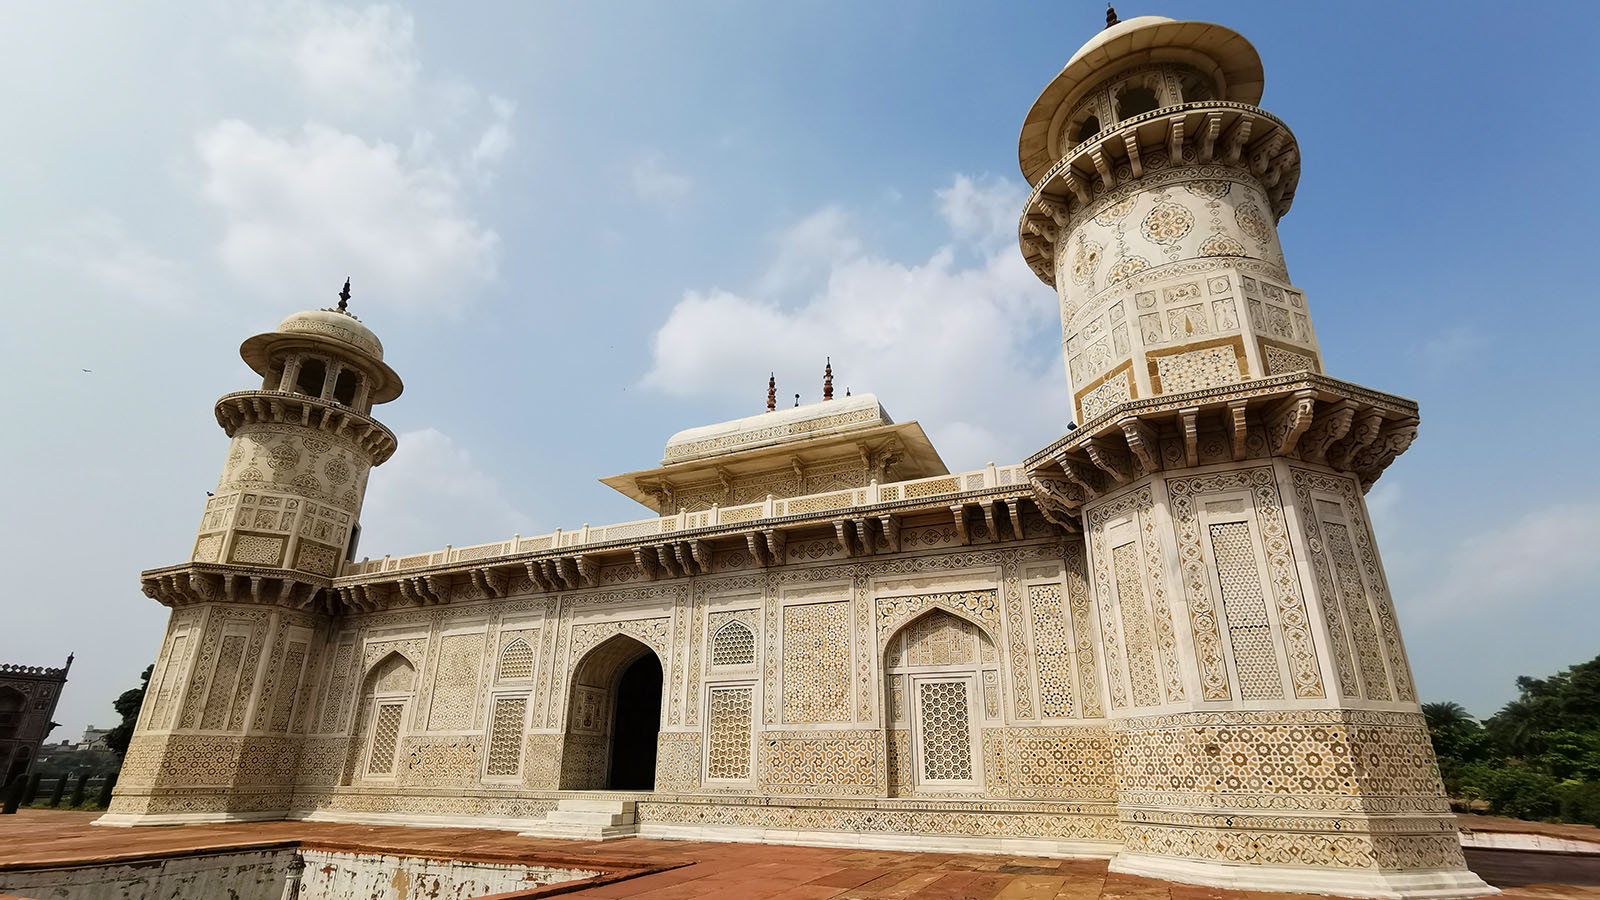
(1266, 723)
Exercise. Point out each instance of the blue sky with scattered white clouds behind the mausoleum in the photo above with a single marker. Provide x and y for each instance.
(580, 228)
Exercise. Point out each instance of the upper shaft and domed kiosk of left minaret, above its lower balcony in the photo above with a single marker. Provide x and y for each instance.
(292, 489)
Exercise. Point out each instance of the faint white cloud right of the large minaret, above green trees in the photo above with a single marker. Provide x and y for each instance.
(1511, 568)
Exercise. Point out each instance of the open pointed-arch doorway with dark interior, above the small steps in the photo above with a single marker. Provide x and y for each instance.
(614, 720)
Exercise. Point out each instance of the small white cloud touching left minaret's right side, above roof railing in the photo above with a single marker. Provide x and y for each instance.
(433, 494)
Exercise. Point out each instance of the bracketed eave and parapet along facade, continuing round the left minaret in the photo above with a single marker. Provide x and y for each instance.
(983, 505)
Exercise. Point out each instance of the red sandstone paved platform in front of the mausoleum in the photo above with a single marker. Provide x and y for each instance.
(730, 872)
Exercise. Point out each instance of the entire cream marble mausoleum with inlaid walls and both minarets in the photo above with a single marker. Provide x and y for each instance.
(1167, 638)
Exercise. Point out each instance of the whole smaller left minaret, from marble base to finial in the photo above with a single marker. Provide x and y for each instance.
(222, 729)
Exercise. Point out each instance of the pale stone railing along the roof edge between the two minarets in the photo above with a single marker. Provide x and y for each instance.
(646, 529)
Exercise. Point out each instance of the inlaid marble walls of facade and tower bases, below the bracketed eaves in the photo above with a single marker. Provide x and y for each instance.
(1220, 640)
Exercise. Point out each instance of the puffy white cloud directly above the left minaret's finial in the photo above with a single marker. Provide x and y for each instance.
(303, 212)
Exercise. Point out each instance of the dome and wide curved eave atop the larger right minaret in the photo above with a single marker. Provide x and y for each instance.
(1218, 52)
